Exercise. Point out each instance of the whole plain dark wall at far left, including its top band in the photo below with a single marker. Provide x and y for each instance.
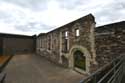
(12, 43)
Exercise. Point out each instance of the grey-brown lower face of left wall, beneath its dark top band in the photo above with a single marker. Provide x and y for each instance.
(17, 45)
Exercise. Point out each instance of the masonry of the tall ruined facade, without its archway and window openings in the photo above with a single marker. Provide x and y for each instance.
(56, 47)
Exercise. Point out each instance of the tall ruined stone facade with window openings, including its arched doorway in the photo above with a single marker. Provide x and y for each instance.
(72, 45)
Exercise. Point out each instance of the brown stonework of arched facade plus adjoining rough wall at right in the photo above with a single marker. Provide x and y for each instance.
(98, 45)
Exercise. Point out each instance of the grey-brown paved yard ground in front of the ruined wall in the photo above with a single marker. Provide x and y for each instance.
(35, 69)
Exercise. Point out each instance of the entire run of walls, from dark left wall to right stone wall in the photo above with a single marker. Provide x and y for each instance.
(78, 45)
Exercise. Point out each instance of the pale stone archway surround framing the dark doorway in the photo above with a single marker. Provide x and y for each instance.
(84, 53)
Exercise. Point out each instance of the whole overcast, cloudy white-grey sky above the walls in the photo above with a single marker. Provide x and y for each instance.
(35, 16)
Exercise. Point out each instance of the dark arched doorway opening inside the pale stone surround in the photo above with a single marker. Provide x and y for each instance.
(79, 60)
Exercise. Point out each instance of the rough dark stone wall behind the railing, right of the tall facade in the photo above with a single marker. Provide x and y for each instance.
(110, 42)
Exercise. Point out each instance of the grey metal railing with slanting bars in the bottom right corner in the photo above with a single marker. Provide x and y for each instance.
(109, 73)
